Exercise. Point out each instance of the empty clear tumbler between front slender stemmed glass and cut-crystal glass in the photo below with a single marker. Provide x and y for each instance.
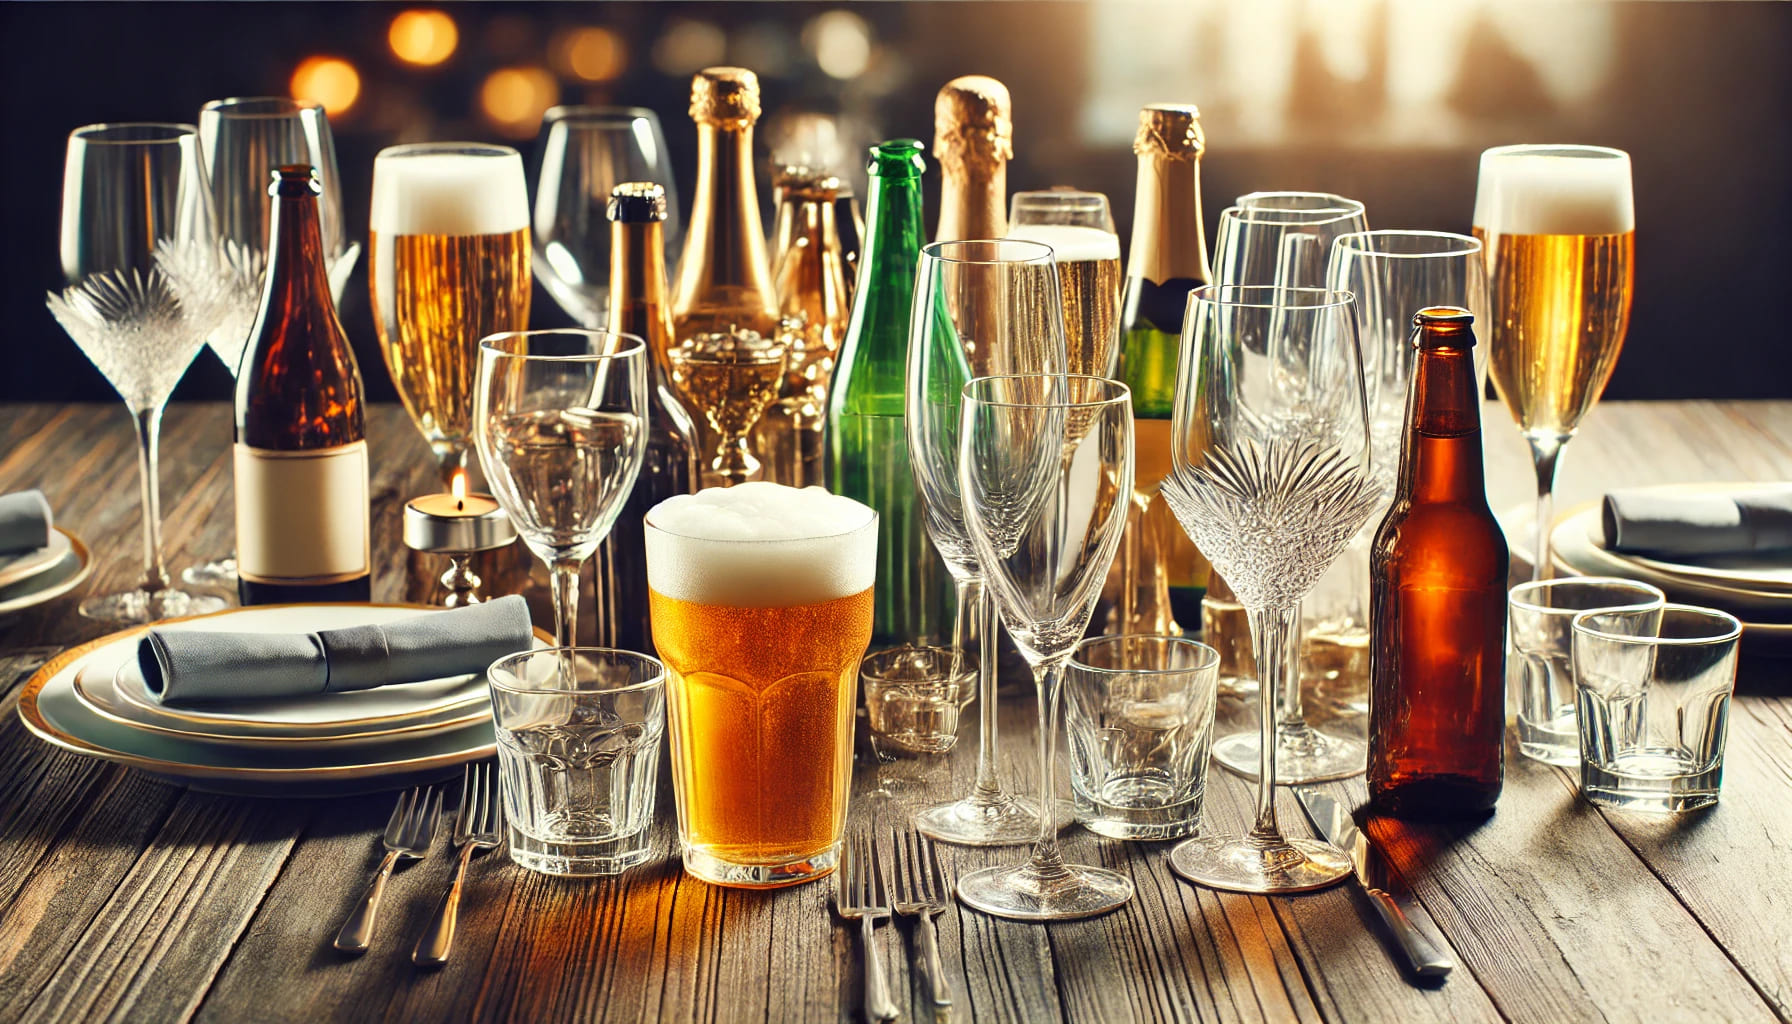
(1141, 720)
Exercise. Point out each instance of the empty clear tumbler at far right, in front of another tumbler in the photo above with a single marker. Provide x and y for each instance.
(1655, 706)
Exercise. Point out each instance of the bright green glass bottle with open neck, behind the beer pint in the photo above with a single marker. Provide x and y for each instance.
(868, 447)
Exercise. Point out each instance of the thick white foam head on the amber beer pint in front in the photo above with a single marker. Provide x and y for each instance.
(761, 546)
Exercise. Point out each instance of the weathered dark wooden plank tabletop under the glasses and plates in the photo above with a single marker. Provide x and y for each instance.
(123, 898)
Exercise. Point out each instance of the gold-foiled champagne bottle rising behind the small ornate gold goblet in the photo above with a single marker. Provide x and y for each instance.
(725, 281)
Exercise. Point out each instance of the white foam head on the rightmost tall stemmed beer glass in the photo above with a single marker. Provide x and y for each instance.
(1555, 191)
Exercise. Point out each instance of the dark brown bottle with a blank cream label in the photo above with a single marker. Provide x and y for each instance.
(302, 451)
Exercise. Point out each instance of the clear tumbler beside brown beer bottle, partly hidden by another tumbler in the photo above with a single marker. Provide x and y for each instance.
(1540, 654)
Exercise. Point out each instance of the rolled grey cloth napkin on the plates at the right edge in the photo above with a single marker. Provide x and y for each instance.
(1676, 525)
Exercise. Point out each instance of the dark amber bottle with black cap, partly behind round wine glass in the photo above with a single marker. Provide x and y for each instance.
(639, 306)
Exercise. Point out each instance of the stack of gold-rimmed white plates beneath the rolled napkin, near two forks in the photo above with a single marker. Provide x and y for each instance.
(92, 700)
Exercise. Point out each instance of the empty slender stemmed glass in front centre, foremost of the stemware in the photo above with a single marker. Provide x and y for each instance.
(1046, 467)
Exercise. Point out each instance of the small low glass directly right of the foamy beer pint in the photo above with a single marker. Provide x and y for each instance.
(915, 695)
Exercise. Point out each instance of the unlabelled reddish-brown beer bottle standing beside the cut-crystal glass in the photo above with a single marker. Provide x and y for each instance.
(1438, 589)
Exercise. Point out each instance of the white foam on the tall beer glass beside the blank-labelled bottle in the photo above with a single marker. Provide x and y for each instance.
(449, 189)
